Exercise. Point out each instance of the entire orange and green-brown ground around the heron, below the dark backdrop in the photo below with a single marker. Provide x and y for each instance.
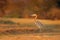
(24, 29)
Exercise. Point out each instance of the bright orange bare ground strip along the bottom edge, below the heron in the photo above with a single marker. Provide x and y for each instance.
(30, 37)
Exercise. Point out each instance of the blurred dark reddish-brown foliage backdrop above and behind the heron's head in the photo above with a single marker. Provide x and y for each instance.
(45, 9)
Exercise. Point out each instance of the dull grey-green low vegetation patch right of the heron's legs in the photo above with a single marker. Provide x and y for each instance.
(52, 28)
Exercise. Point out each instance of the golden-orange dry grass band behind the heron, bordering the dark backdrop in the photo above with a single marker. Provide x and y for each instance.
(22, 20)
